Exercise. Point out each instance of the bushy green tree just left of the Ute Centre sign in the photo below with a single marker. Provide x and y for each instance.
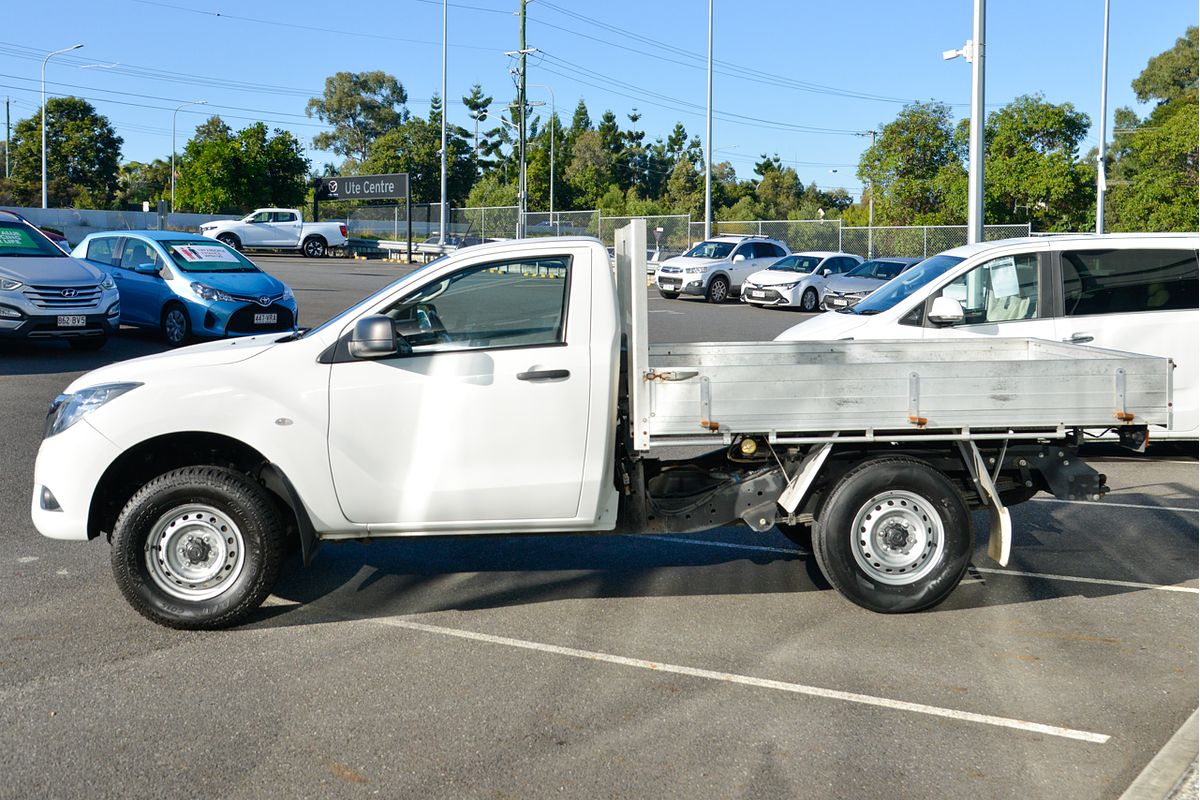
(227, 172)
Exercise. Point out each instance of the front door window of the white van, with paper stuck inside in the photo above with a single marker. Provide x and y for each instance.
(999, 291)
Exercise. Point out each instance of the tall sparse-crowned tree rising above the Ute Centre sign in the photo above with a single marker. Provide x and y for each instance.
(361, 107)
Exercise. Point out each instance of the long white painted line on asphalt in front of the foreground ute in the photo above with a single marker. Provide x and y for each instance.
(759, 683)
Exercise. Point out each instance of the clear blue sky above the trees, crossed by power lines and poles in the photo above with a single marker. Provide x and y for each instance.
(819, 71)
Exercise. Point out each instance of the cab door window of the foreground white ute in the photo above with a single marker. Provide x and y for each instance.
(496, 305)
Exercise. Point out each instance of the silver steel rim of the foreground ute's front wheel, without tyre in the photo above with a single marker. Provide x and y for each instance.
(195, 552)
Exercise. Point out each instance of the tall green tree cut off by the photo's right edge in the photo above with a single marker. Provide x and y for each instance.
(1154, 175)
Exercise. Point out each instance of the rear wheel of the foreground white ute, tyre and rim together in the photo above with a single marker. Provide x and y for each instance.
(895, 536)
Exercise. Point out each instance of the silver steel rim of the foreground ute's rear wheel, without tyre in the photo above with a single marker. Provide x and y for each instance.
(898, 538)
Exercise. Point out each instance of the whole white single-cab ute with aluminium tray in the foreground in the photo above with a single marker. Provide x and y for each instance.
(511, 388)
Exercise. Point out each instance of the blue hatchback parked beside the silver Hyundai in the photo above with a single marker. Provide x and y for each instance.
(187, 285)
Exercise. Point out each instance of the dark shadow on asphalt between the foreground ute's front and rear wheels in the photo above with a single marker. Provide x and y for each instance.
(419, 576)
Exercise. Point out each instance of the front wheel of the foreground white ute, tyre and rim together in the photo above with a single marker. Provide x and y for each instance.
(199, 548)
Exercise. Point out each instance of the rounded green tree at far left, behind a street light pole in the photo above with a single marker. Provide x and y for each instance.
(83, 155)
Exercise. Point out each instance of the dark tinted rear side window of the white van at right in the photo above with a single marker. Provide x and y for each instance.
(1121, 281)
